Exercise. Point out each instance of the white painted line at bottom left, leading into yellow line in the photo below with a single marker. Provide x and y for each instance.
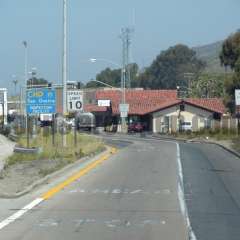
(20, 213)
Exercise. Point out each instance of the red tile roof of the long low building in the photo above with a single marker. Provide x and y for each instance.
(142, 102)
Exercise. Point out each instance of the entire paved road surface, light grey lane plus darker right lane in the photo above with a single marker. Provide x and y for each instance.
(134, 195)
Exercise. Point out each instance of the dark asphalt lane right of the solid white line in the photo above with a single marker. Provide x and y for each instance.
(212, 191)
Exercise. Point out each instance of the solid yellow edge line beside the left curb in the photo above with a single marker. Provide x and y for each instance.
(76, 176)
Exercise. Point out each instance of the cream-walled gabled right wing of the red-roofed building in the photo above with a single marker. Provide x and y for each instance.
(188, 114)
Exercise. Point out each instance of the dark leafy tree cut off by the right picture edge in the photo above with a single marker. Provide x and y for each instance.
(230, 57)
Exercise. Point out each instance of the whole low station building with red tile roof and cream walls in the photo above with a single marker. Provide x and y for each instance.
(160, 111)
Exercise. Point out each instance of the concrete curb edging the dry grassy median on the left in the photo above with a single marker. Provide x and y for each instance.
(53, 175)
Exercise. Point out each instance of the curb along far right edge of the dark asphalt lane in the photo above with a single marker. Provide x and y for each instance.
(199, 141)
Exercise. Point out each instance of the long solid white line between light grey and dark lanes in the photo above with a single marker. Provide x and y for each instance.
(181, 197)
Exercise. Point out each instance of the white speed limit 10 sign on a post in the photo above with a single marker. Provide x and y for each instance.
(75, 100)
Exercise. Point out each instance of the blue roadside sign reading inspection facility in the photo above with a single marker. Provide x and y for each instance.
(39, 101)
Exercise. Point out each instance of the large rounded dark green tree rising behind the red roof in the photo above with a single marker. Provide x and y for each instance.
(167, 70)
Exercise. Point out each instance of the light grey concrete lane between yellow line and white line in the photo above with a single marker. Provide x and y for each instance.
(133, 195)
